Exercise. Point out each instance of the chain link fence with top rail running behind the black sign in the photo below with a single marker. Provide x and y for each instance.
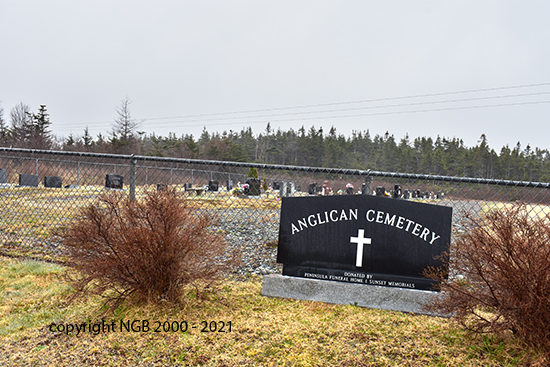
(44, 190)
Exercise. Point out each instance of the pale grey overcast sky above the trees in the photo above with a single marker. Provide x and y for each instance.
(186, 65)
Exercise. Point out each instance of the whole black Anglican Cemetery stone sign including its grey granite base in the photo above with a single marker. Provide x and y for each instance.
(377, 248)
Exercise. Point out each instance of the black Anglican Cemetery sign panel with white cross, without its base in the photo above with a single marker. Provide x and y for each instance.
(363, 239)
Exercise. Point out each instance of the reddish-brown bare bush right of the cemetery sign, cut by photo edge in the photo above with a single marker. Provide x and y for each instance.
(500, 275)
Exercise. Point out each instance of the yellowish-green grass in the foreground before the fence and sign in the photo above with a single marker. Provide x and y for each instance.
(257, 331)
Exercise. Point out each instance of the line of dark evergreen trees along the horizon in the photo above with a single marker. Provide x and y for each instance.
(304, 147)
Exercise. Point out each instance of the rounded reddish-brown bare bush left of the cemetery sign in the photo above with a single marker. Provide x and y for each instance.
(143, 250)
